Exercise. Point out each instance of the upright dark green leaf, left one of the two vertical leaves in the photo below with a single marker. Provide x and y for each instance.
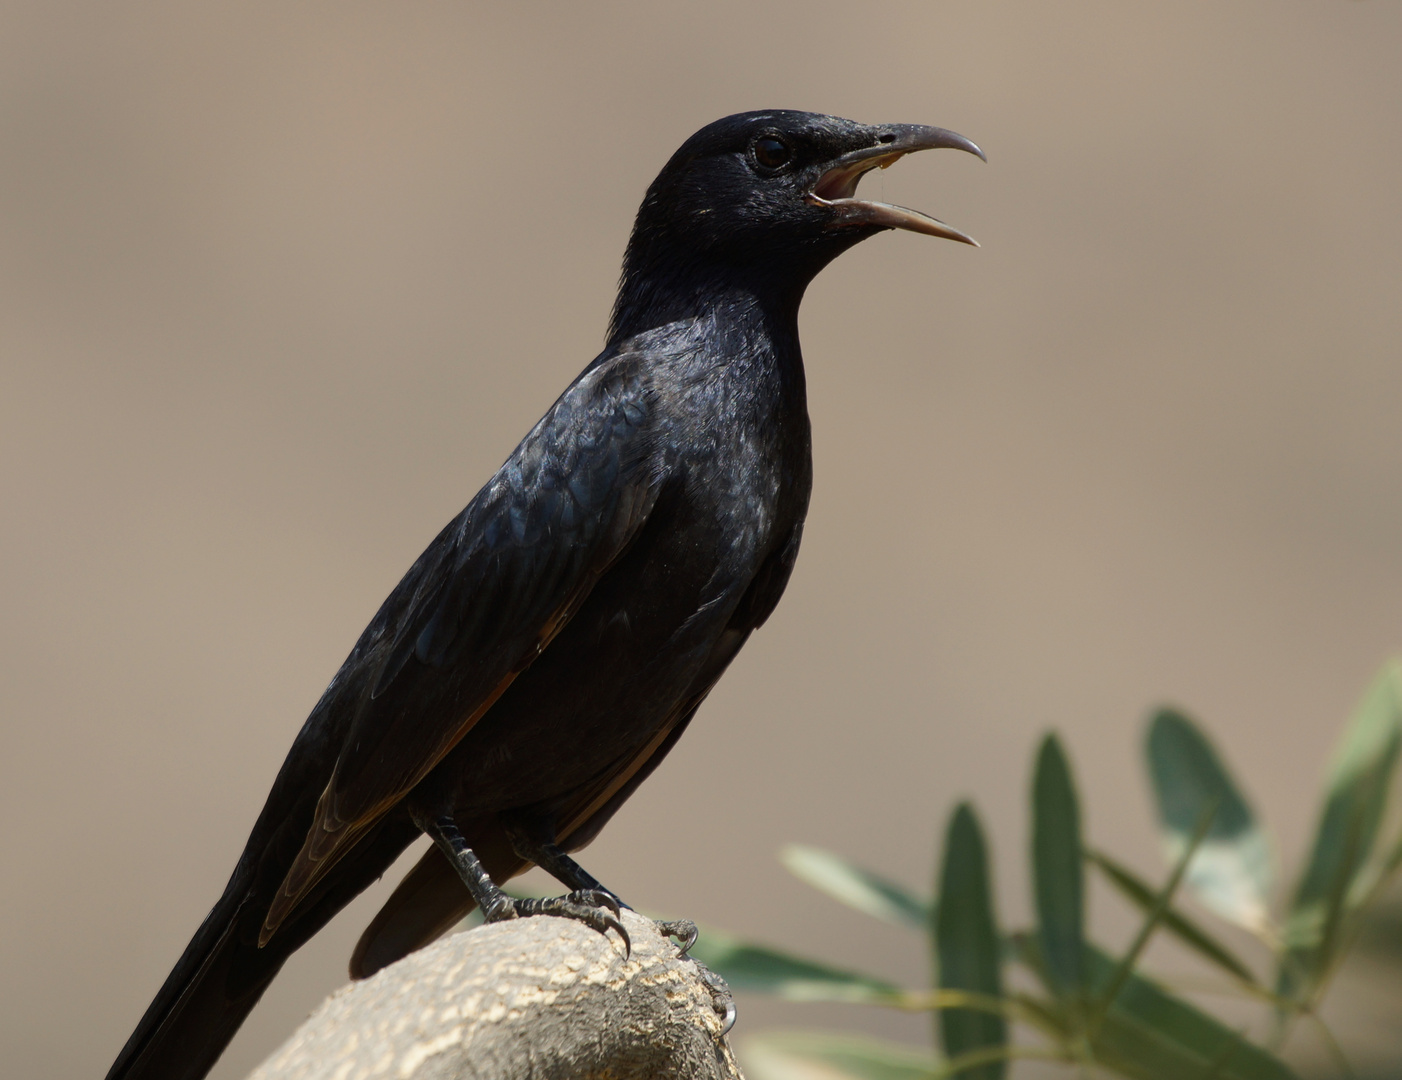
(968, 949)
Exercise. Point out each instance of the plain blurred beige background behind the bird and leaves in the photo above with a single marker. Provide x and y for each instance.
(283, 284)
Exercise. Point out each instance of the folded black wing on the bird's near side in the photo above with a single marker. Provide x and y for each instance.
(484, 601)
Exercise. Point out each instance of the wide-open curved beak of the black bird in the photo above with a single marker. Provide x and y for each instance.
(836, 189)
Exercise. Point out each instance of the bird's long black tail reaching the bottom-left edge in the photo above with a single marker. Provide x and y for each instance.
(222, 974)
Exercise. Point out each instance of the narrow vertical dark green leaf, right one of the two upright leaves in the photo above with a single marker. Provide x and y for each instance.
(1058, 873)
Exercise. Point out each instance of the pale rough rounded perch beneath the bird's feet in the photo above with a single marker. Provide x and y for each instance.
(535, 998)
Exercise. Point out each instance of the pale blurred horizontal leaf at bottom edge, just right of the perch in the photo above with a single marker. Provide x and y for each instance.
(794, 1055)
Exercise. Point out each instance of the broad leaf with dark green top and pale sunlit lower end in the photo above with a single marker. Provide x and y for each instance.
(1232, 872)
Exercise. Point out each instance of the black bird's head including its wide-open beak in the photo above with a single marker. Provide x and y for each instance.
(772, 196)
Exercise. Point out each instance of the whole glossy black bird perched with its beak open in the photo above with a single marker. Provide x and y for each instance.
(554, 642)
